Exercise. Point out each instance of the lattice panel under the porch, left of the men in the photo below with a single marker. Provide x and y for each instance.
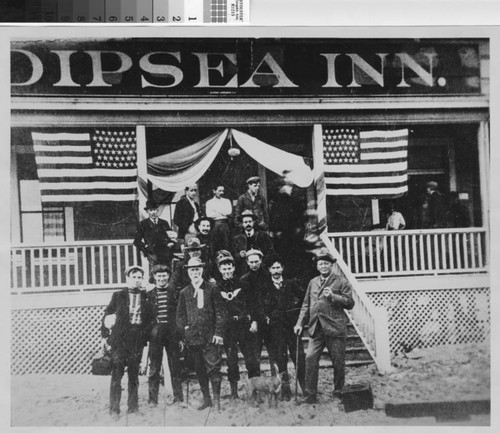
(55, 340)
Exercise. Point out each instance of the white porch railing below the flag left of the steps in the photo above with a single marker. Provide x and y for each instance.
(71, 266)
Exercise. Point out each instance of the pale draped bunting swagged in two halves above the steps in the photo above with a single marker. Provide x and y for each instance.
(174, 171)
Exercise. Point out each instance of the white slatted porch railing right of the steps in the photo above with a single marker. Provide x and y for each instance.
(413, 252)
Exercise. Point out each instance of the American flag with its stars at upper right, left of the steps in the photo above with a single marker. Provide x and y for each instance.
(84, 167)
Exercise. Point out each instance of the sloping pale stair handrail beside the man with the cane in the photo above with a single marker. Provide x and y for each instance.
(371, 322)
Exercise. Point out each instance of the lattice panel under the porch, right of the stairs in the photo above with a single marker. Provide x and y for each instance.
(426, 318)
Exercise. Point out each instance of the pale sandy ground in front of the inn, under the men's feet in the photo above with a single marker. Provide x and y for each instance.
(433, 375)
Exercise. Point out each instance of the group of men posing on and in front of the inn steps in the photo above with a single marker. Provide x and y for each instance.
(228, 299)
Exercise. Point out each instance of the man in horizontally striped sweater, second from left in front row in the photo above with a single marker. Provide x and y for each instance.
(164, 334)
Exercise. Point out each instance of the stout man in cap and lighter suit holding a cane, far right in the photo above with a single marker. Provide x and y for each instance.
(327, 296)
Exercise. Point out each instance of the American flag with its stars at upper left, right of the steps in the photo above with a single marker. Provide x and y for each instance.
(368, 163)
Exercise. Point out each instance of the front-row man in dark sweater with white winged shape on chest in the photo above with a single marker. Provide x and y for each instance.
(241, 325)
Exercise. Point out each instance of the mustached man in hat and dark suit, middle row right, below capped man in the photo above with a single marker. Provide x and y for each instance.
(248, 240)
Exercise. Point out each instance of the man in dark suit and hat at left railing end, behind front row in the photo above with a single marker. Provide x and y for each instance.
(152, 238)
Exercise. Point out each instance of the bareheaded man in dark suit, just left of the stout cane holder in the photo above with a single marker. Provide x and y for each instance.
(282, 302)
